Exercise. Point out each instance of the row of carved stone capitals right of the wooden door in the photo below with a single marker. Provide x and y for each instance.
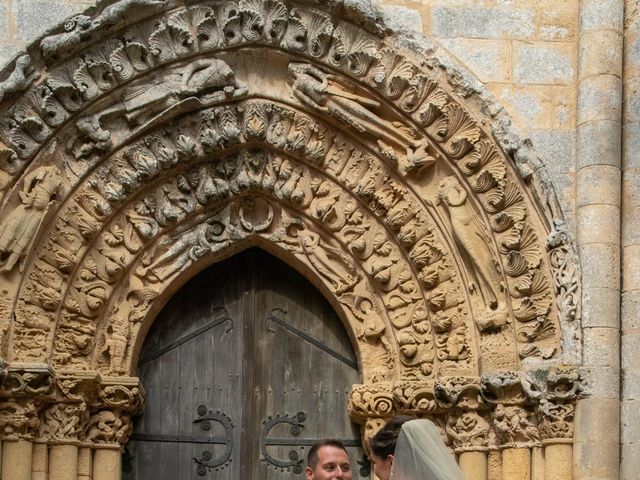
(509, 410)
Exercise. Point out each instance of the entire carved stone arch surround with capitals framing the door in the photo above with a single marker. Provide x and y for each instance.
(130, 163)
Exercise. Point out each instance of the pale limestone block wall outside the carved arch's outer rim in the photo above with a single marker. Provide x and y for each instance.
(525, 52)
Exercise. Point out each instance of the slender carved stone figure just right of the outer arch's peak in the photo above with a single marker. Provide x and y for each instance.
(335, 97)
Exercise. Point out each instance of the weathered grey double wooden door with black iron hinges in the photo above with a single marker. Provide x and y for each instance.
(244, 369)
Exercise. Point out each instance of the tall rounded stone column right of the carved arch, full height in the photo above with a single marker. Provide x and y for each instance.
(598, 234)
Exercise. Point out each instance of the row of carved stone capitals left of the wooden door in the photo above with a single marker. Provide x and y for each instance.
(67, 407)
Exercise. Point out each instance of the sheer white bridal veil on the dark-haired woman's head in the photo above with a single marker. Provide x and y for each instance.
(422, 455)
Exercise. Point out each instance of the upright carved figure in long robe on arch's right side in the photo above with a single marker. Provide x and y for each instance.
(472, 238)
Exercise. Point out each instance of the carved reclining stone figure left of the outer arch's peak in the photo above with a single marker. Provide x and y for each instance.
(145, 103)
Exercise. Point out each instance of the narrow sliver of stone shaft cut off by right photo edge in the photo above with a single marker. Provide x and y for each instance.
(630, 314)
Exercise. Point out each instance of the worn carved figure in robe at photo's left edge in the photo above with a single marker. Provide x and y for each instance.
(17, 233)
